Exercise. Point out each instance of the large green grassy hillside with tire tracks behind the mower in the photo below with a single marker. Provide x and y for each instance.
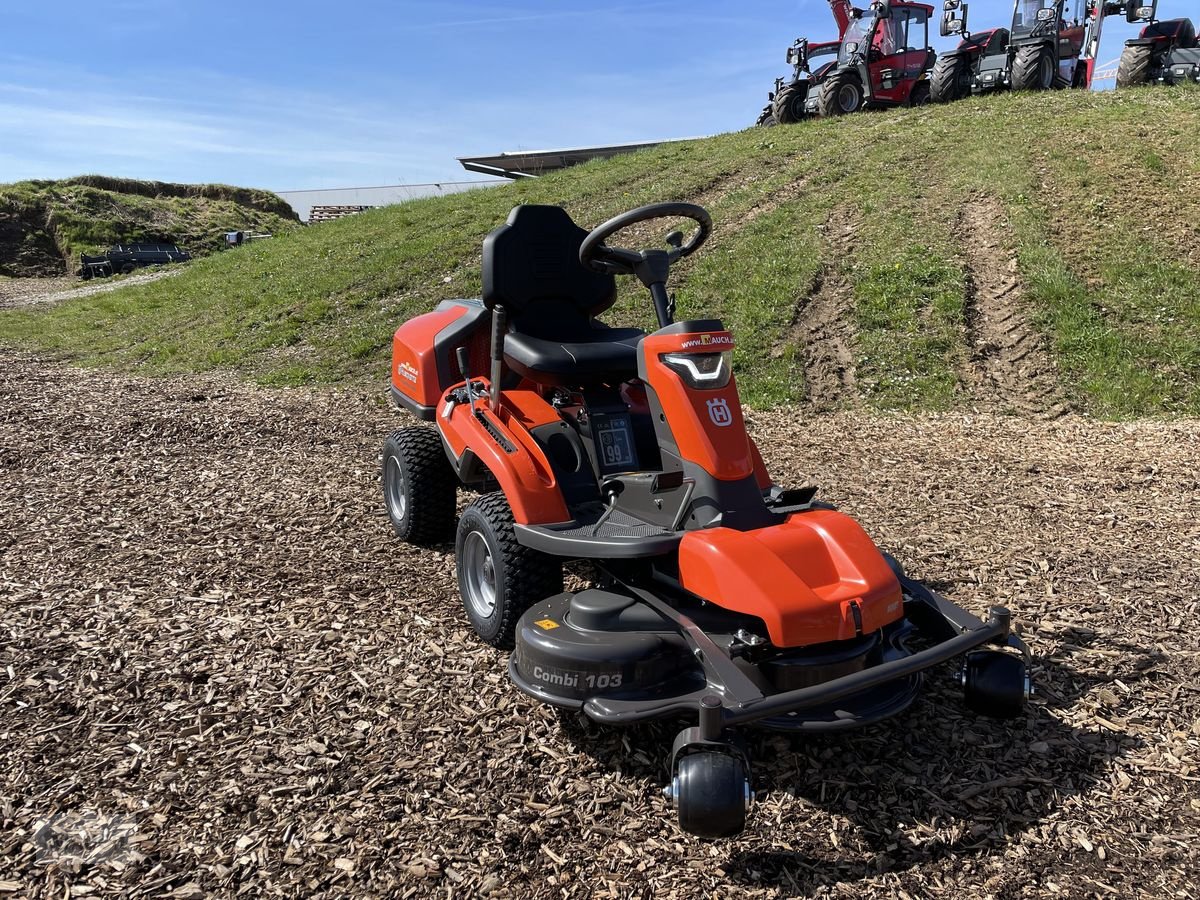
(1041, 249)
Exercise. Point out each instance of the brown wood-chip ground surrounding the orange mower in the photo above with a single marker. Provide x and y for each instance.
(220, 674)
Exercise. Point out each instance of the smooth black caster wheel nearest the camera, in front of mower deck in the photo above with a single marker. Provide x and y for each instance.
(711, 795)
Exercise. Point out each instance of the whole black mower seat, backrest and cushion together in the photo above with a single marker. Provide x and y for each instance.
(532, 269)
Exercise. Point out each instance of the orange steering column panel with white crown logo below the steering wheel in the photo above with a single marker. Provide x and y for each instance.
(707, 424)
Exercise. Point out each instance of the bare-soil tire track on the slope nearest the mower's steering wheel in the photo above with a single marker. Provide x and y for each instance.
(821, 325)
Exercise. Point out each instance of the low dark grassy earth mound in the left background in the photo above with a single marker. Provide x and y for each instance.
(45, 226)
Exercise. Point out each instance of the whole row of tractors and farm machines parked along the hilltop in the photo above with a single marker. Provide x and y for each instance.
(883, 57)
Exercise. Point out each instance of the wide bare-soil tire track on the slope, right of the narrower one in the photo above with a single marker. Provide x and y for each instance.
(1010, 363)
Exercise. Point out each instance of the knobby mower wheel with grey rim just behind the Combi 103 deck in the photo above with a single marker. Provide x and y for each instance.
(519, 577)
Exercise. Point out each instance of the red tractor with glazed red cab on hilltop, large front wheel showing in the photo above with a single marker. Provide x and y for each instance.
(884, 62)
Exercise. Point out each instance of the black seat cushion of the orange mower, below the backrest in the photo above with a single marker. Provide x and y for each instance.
(598, 355)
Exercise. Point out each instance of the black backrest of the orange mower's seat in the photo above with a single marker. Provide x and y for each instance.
(532, 268)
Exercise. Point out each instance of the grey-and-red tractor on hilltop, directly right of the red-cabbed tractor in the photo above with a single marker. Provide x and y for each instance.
(1052, 44)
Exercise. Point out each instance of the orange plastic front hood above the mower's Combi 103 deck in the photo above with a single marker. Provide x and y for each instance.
(803, 578)
